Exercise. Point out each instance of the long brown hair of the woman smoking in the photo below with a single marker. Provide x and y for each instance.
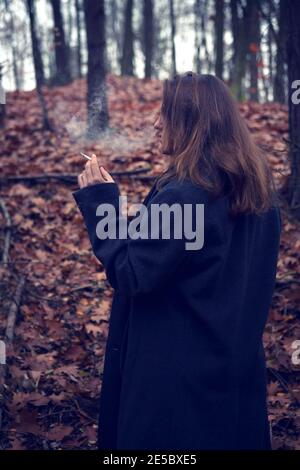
(209, 143)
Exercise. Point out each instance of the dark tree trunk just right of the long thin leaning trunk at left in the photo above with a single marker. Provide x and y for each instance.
(63, 75)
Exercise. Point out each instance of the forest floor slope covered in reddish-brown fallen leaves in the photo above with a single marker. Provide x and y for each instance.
(55, 360)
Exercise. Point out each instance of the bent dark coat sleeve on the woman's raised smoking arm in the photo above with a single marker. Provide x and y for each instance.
(139, 265)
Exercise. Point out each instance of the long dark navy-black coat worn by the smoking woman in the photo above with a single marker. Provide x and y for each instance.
(184, 365)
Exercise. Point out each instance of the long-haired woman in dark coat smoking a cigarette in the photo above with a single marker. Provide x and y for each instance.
(184, 365)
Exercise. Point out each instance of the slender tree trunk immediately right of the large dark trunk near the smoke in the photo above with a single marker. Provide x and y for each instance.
(127, 55)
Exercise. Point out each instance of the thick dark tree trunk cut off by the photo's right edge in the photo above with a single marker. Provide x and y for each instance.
(293, 61)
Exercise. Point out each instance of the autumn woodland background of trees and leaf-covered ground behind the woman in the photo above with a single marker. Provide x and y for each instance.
(86, 75)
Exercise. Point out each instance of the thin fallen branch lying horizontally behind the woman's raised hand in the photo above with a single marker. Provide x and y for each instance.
(67, 178)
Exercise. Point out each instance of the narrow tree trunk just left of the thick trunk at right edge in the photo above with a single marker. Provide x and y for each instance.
(279, 82)
